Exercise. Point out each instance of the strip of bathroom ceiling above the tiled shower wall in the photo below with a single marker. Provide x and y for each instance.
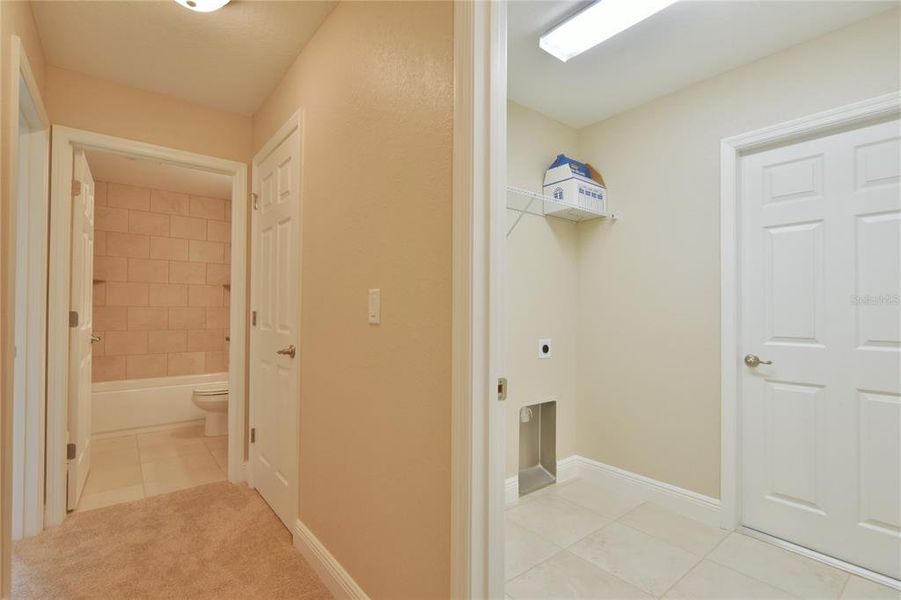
(116, 168)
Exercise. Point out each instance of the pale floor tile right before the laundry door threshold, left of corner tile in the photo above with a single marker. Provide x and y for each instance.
(786, 570)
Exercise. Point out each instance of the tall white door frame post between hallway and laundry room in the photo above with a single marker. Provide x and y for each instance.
(479, 180)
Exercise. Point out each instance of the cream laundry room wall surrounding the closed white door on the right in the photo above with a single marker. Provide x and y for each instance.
(649, 299)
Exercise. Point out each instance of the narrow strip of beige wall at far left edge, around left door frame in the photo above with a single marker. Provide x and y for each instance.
(15, 19)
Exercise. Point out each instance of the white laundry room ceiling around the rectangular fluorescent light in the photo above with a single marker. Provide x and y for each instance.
(687, 42)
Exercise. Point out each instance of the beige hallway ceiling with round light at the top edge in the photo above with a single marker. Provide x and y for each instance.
(230, 59)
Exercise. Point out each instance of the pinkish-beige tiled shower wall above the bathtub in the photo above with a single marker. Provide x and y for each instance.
(161, 283)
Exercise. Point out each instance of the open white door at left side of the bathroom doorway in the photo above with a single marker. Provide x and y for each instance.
(81, 328)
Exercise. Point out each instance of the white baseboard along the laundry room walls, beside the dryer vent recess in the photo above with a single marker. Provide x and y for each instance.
(685, 502)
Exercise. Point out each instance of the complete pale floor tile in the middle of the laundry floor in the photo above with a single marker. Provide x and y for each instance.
(643, 560)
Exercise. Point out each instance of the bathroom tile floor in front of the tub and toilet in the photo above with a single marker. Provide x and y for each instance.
(139, 466)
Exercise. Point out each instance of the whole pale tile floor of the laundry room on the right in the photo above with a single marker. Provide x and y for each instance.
(577, 540)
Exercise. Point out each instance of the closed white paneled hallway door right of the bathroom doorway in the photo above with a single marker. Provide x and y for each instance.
(275, 368)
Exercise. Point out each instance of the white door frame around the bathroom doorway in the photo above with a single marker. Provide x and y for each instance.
(65, 139)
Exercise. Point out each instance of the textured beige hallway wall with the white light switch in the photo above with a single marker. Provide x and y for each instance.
(376, 87)
